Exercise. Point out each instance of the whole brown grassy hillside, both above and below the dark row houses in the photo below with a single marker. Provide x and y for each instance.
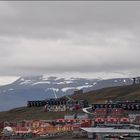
(98, 96)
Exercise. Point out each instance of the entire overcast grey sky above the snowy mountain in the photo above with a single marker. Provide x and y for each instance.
(93, 39)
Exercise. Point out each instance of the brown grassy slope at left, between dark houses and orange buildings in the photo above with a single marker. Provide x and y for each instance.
(35, 113)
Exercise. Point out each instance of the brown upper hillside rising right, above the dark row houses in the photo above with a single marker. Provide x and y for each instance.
(130, 92)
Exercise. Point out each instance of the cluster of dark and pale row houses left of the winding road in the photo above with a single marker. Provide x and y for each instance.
(59, 104)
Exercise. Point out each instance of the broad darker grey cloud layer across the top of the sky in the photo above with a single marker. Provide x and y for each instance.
(45, 19)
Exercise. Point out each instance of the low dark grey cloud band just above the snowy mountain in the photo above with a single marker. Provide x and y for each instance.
(119, 68)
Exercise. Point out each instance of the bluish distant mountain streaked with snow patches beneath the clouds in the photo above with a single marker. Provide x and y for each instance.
(42, 87)
